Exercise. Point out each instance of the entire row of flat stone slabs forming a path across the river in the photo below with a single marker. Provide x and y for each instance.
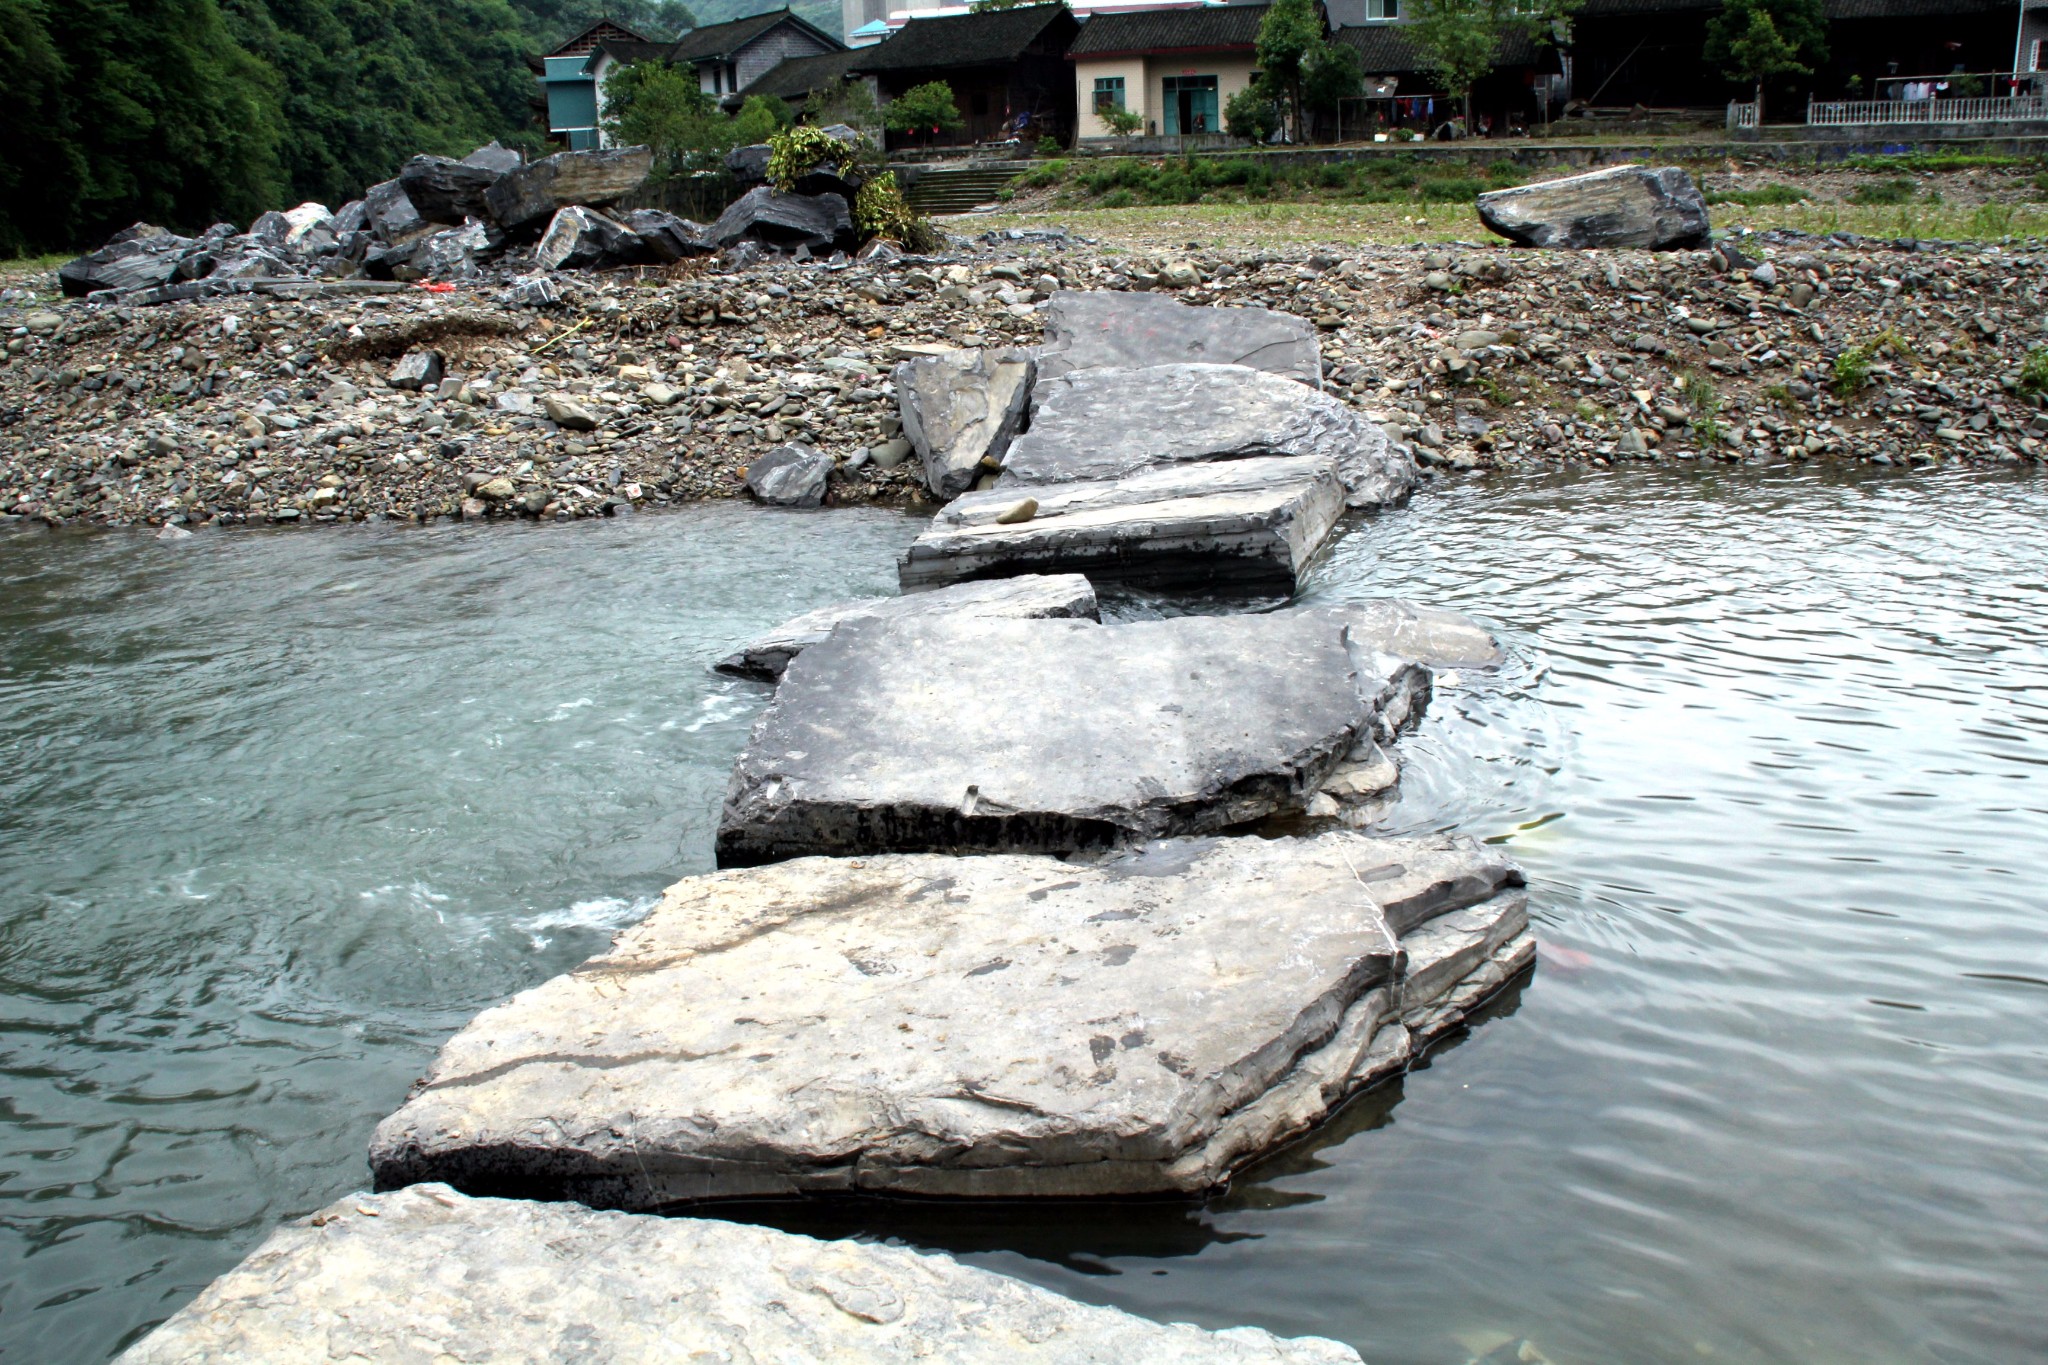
(994, 920)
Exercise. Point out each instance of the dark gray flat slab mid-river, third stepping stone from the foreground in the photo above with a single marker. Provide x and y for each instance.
(1052, 736)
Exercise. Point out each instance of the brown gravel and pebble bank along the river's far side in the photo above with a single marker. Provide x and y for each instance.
(658, 386)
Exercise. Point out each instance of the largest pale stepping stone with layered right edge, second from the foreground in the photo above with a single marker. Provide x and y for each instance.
(1000, 1026)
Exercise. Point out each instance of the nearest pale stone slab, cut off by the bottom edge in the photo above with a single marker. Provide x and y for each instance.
(431, 1276)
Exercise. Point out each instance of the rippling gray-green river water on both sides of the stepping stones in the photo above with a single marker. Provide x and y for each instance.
(282, 811)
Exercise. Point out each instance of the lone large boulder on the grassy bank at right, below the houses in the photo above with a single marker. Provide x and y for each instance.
(1621, 208)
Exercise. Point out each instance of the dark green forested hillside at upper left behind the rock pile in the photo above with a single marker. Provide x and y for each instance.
(196, 112)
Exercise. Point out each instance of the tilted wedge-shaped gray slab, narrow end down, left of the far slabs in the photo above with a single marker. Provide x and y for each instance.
(959, 410)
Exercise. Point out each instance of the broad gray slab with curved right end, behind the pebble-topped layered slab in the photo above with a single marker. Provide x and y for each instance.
(1111, 423)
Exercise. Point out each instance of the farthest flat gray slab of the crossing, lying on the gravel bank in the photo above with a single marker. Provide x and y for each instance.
(1101, 328)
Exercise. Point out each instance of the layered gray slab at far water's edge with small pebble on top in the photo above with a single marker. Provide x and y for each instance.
(1248, 525)
